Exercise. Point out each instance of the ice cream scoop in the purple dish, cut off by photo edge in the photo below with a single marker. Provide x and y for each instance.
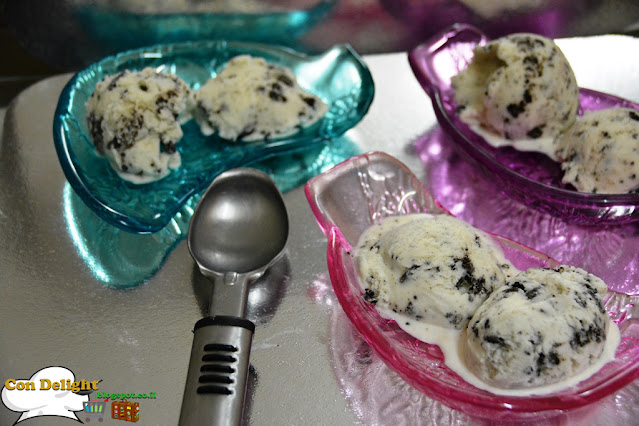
(600, 152)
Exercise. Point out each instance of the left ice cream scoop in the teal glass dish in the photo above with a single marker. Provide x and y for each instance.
(133, 121)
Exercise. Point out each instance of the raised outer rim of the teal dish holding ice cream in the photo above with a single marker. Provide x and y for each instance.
(290, 143)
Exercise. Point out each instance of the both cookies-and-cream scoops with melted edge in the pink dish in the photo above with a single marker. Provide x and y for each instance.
(502, 330)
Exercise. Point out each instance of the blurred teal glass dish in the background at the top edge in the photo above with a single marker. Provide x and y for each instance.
(272, 21)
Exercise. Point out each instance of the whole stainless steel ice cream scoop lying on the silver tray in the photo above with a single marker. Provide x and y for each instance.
(239, 227)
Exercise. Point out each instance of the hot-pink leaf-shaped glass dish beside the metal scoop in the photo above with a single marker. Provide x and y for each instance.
(363, 190)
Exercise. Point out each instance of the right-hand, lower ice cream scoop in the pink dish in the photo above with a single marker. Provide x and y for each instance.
(542, 326)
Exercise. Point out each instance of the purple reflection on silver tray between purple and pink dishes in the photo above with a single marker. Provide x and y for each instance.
(460, 186)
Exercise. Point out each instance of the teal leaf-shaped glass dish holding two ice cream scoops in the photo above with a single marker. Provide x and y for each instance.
(338, 76)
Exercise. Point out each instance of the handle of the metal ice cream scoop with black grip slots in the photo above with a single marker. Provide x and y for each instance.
(216, 382)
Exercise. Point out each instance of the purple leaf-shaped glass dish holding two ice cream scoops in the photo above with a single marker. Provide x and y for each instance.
(532, 178)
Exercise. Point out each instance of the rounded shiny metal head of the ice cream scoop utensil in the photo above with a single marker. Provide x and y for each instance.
(240, 224)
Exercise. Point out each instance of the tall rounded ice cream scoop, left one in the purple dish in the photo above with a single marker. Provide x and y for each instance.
(519, 87)
